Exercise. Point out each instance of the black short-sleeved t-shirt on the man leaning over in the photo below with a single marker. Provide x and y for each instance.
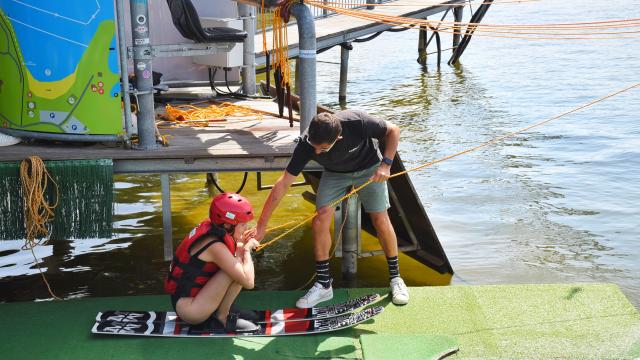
(357, 150)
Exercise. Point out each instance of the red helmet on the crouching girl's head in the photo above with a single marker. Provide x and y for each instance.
(230, 208)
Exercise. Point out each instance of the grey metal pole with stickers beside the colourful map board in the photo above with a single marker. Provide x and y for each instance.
(144, 79)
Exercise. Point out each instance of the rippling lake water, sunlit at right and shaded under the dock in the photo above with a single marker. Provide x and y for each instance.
(556, 204)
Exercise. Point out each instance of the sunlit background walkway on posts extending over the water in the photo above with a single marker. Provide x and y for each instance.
(335, 30)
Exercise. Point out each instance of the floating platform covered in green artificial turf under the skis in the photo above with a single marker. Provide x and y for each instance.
(568, 321)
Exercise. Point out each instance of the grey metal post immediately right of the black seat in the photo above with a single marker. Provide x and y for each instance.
(247, 12)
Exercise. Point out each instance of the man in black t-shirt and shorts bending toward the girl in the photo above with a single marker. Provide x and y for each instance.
(346, 145)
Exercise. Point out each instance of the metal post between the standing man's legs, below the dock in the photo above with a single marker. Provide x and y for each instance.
(350, 236)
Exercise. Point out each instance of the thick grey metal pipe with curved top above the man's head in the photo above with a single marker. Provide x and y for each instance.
(307, 58)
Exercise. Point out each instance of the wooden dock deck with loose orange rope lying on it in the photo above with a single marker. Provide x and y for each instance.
(260, 143)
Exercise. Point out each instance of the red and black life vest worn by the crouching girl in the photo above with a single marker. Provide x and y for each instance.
(188, 274)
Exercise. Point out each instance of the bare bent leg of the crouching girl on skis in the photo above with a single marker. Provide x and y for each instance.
(195, 310)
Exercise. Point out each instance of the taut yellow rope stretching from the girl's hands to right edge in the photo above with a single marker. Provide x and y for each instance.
(484, 144)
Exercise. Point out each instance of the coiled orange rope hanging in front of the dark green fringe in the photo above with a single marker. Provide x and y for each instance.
(37, 211)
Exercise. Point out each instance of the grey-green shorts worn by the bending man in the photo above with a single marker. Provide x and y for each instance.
(333, 186)
